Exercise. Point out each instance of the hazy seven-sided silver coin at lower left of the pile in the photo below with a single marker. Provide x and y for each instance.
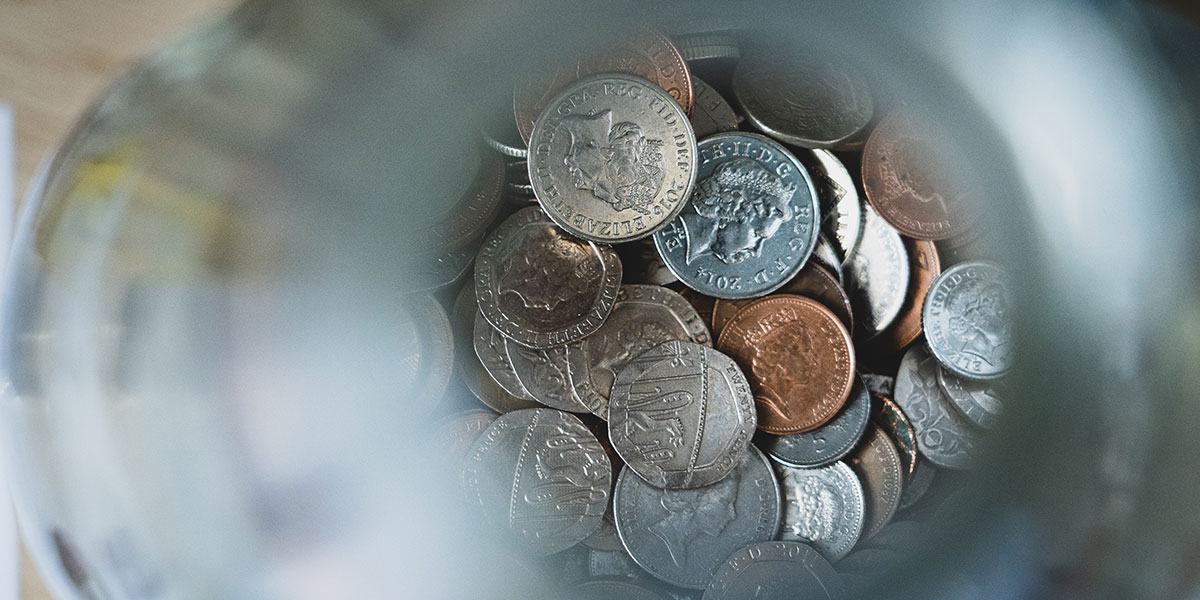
(542, 478)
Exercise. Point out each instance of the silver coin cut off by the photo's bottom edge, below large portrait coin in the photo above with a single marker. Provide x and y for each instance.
(777, 571)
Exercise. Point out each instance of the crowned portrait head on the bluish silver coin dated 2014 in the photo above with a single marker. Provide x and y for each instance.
(739, 208)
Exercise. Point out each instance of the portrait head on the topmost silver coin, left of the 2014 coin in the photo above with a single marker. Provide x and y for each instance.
(616, 163)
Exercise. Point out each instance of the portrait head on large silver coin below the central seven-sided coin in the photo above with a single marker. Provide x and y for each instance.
(688, 519)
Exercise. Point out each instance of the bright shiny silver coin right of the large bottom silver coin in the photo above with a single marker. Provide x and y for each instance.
(824, 508)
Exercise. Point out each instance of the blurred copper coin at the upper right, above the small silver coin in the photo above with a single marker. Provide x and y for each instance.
(916, 179)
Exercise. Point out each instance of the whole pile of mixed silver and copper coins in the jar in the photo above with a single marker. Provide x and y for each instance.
(711, 369)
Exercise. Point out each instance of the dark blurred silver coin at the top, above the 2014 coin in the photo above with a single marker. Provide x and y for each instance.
(803, 100)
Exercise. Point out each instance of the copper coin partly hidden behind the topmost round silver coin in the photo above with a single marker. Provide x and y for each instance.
(647, 55)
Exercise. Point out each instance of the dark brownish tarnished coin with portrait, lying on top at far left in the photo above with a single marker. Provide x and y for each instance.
(541, 287)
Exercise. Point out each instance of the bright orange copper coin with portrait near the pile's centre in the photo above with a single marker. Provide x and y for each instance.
(799, 358)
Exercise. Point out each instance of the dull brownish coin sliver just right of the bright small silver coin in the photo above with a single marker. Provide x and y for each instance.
(878, 465)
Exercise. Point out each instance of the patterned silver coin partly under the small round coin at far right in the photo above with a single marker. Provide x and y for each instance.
(944, 436)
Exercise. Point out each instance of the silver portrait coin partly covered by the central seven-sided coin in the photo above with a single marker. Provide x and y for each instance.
(644, 317)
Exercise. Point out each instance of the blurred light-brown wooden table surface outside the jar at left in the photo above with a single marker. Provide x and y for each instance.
(56, 58)
